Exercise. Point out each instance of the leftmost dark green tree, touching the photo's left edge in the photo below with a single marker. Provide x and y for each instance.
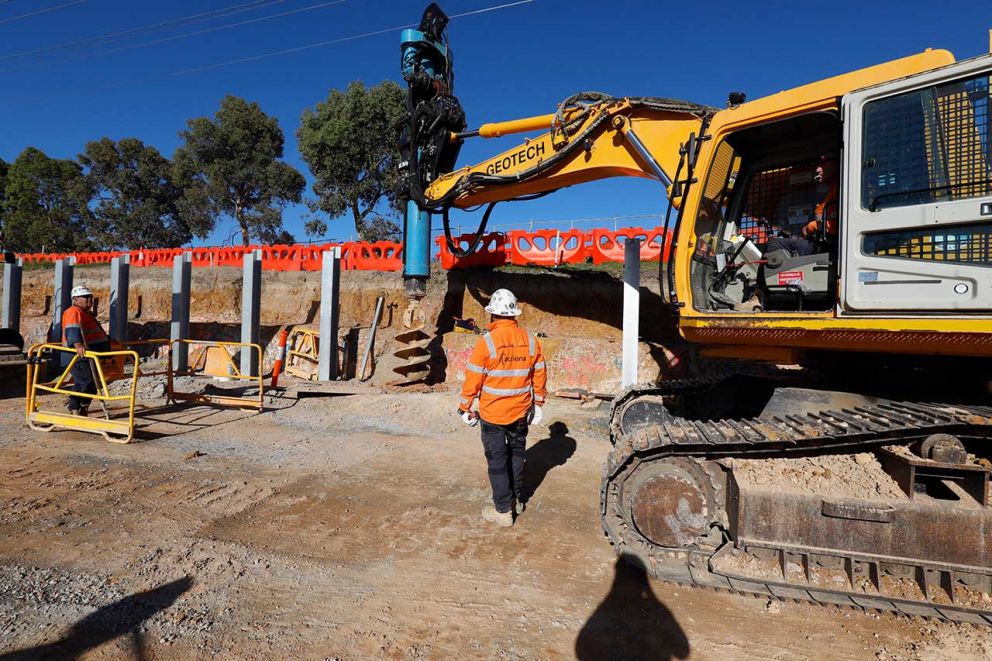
(45, 204)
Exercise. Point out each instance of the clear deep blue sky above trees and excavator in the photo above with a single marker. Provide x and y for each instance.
(511, 62)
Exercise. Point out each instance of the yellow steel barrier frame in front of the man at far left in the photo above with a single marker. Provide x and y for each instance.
(113, 430)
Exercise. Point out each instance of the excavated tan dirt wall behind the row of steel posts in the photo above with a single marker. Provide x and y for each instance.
(578, 314)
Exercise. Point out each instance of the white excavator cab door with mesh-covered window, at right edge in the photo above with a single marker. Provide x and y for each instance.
(917, 194)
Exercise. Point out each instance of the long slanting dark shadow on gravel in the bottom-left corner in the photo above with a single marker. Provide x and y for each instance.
(107, 623)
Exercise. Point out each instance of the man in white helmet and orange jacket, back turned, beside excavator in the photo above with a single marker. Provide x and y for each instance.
(506, 372)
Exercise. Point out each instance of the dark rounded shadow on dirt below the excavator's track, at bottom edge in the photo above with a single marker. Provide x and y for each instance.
(631, 623)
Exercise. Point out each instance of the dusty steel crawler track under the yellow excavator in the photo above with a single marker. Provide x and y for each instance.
(670, 502)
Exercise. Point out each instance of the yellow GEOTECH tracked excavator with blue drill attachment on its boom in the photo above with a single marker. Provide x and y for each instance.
(847, 457)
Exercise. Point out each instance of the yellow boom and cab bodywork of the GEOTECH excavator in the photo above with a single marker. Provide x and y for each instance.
(778, 335)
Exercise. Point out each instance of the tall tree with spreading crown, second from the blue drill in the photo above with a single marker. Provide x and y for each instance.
(230, 165)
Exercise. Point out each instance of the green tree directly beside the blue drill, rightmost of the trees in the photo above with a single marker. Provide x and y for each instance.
(349, 144)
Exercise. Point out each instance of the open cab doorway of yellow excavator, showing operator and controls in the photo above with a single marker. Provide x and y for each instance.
(759, 245)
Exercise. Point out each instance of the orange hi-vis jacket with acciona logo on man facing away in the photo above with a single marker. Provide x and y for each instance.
(506, 372)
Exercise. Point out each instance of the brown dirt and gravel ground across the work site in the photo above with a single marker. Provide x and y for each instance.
(345, 525)
